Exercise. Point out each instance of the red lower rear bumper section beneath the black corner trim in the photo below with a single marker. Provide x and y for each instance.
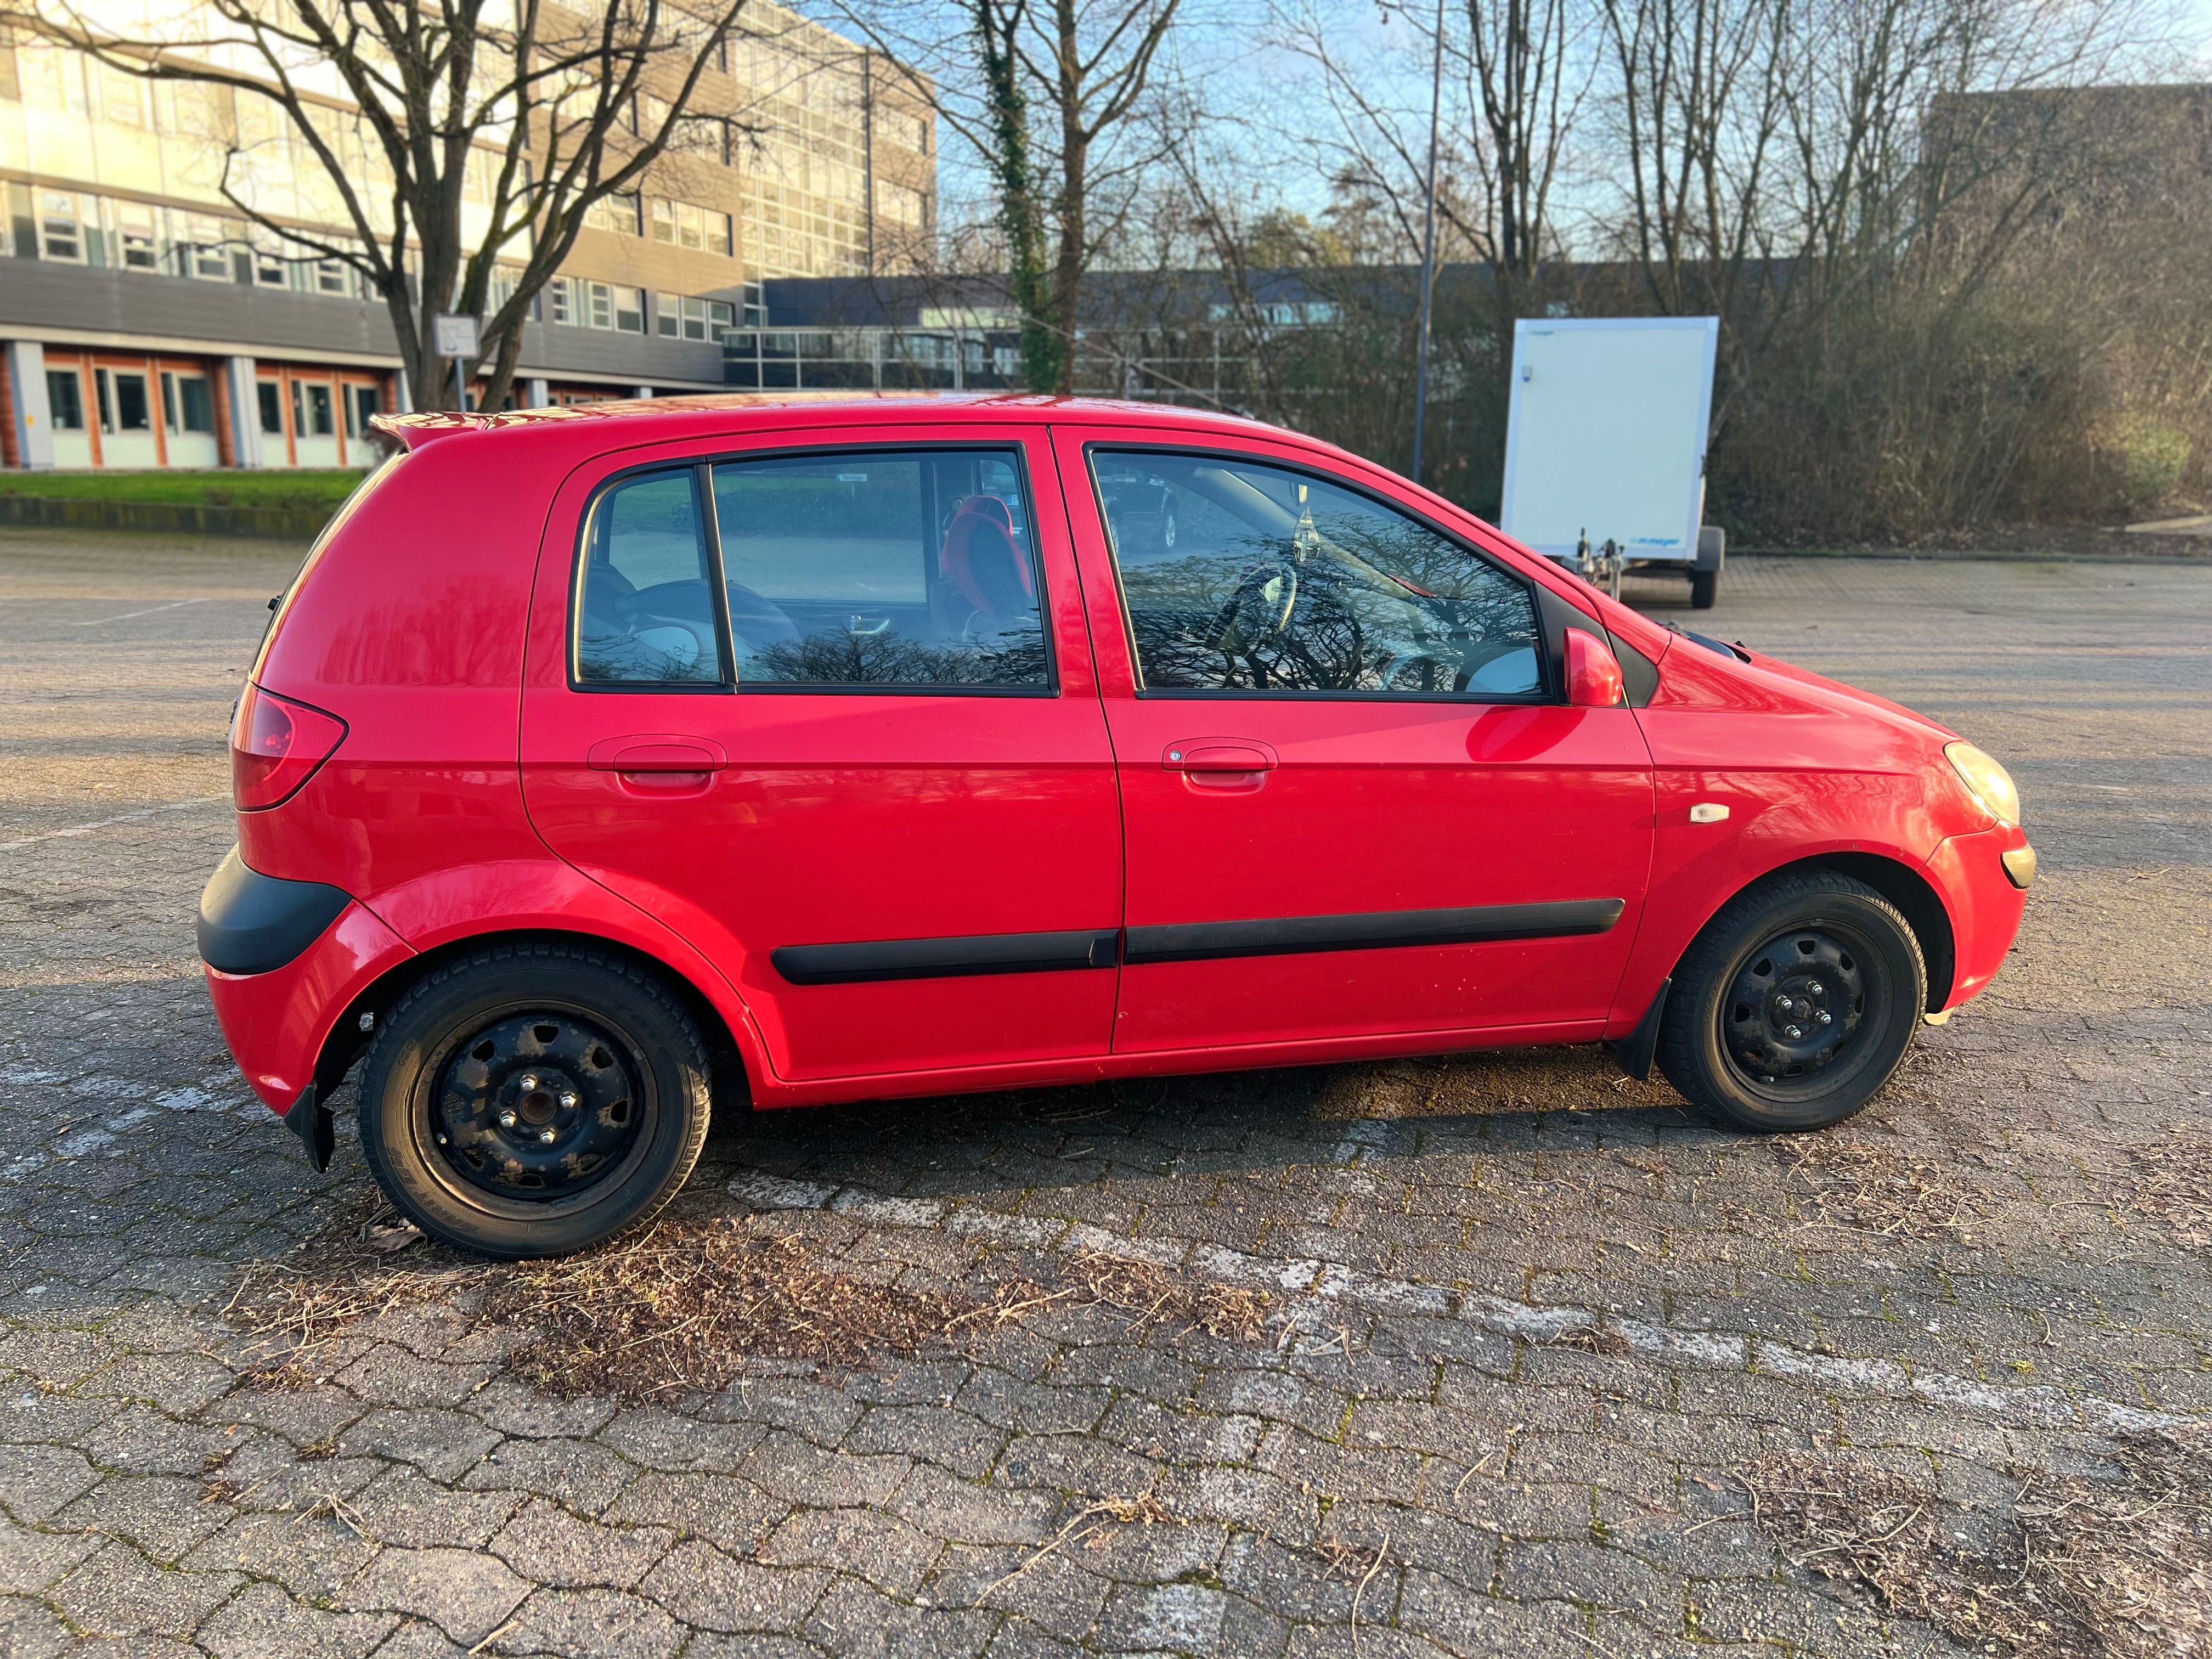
(280, 1021)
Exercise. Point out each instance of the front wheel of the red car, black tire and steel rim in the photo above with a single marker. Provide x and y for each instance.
(1724, 1039)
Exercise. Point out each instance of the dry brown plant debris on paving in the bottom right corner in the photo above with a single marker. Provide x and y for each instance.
(2080, 1567)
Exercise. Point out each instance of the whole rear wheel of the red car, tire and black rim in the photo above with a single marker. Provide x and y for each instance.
(532, 1100)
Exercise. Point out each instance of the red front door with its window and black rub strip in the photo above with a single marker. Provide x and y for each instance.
(1355, 797)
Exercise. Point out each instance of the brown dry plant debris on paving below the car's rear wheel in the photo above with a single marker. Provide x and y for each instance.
(680, 1308)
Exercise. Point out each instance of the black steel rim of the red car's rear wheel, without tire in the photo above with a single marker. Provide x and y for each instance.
(536, 1107)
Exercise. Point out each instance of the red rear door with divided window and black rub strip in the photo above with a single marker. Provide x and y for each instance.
(828, 711)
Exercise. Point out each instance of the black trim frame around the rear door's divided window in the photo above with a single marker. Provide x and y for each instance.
(702, 470)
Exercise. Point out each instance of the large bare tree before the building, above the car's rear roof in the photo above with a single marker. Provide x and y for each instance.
(415, 107)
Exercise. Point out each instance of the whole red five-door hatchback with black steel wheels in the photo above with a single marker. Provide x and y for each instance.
(607, 764)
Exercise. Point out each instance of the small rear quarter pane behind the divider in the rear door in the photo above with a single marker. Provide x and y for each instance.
(647, 605)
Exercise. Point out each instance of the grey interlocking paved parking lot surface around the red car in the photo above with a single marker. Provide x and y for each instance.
(1530, 1322)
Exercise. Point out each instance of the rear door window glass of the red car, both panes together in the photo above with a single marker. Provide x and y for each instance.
(866, 570)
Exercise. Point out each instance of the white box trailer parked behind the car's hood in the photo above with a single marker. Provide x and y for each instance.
(1607, 446)
